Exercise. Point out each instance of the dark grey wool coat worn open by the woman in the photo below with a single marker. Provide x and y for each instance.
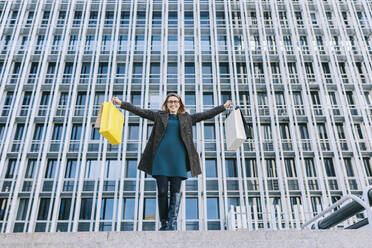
(160, 119)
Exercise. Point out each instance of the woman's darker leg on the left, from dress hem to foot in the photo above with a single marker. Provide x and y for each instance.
(162, 182)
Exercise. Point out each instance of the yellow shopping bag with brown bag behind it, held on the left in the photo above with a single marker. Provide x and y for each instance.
(110, 123)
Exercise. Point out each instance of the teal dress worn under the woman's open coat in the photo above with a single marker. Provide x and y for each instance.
(170, 157)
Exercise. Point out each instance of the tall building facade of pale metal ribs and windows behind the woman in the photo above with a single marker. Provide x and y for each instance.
(300, 70)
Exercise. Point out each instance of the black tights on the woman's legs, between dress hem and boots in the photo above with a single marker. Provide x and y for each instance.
(175, 187)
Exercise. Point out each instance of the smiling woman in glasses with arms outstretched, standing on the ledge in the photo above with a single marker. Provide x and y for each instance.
(170, 151)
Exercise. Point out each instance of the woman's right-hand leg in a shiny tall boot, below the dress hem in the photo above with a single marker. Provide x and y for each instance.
(175, 199)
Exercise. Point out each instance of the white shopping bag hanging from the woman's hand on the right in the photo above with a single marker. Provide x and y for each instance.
(235, 130)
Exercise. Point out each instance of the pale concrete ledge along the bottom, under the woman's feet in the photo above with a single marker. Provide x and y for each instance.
(191, 239)
